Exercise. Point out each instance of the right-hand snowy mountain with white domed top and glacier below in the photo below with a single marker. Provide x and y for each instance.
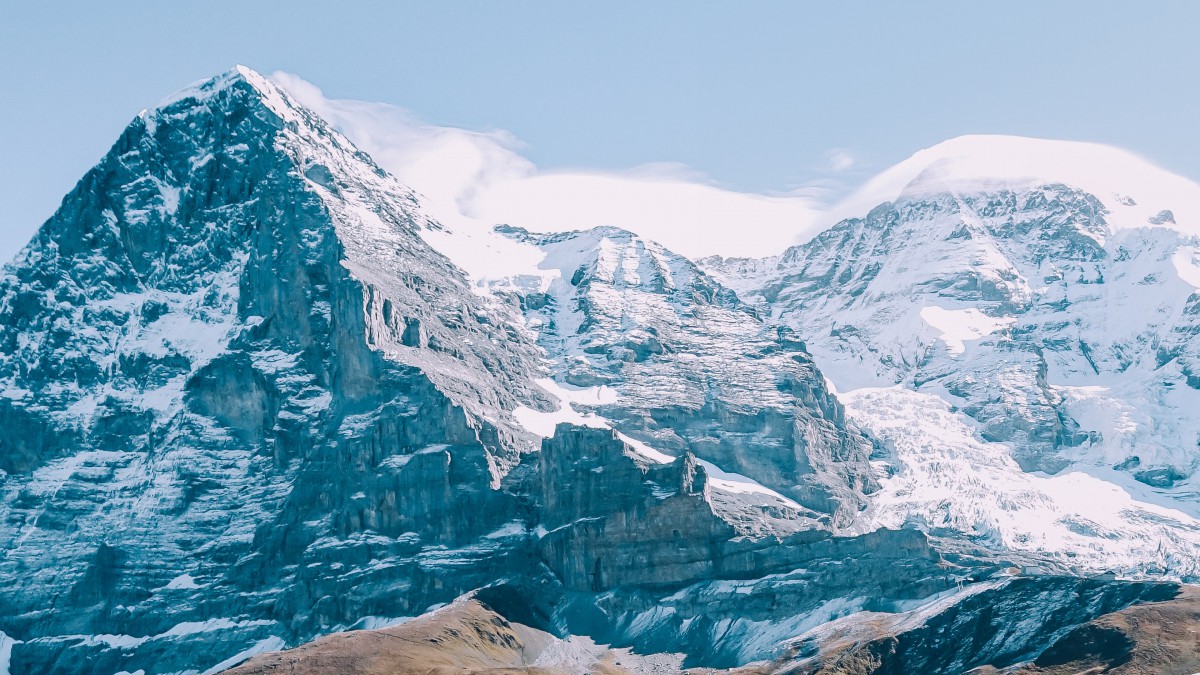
(1034, 332)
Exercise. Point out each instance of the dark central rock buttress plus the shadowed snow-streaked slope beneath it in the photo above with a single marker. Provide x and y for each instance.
(650, 557)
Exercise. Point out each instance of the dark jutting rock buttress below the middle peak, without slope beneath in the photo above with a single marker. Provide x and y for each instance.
(616, 519)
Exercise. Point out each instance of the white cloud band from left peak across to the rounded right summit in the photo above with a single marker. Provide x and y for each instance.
(478, 180)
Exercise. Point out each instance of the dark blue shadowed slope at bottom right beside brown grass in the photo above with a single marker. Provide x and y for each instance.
(1049, 622)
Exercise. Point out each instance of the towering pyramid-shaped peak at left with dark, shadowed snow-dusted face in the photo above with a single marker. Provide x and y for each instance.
(242, 392)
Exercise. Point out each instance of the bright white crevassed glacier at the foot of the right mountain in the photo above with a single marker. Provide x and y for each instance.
(944, 477)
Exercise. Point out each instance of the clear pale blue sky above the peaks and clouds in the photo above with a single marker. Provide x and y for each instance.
(755, 95)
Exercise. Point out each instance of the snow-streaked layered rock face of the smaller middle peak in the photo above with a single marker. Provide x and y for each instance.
(693, 369)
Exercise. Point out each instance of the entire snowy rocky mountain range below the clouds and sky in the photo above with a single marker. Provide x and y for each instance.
(256, 392)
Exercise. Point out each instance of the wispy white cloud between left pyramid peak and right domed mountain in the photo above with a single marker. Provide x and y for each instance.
(482, 176)
